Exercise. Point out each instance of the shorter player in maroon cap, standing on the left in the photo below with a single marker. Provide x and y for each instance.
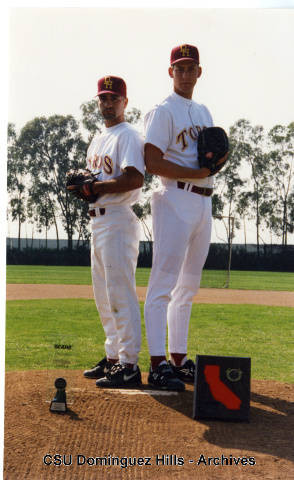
(116, 157)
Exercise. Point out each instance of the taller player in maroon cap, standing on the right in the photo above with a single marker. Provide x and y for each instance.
(181, 213)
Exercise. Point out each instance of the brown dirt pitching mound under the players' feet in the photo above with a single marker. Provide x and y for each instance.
(135, 435)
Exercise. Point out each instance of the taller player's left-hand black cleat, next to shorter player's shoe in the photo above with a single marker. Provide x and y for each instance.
(164, 378)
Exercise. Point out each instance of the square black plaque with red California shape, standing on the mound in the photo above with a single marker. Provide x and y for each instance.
(222, 388)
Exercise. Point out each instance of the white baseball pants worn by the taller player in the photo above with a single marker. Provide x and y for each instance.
(181, 231)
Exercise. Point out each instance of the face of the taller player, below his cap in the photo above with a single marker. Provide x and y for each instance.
(185, 75)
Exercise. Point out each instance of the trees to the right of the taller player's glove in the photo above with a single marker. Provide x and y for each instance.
(258, 181)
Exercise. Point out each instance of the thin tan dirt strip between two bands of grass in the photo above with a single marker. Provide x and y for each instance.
(205, 295)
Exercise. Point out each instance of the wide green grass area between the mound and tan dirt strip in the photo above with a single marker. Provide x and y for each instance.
(33, 327)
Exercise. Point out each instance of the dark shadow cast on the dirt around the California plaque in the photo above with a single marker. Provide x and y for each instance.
(269, 431)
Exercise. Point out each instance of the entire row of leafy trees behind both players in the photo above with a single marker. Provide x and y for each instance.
(257, 182)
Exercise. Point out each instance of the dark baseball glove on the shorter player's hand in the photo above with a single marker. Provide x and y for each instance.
(82, 180)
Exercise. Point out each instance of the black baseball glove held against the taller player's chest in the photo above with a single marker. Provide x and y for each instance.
(215, 140)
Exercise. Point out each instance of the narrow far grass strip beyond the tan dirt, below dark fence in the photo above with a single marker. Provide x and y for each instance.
(252, 280)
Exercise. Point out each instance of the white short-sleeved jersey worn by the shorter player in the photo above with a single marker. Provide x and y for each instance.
(109, 154)
